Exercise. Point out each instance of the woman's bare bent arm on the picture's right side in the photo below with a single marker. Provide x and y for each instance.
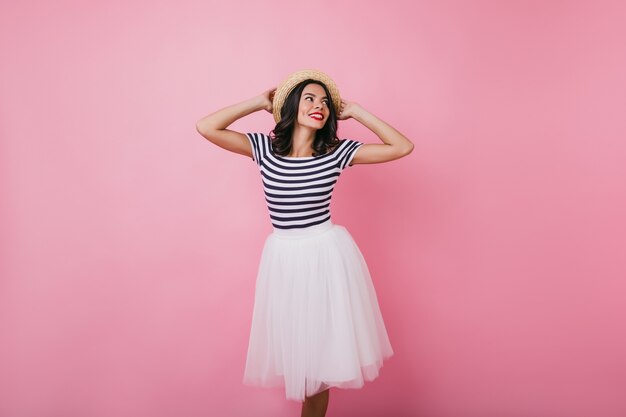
(395, 145)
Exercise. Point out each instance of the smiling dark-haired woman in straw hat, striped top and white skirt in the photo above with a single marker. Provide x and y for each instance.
(316, 322)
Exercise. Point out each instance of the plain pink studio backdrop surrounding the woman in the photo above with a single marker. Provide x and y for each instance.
(130, 244)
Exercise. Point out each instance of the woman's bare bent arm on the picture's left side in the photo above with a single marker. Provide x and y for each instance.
(213, 127)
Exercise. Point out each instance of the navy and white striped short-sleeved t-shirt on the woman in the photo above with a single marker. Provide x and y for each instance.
(298, 189)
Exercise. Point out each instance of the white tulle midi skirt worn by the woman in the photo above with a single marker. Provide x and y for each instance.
(316, 322)
